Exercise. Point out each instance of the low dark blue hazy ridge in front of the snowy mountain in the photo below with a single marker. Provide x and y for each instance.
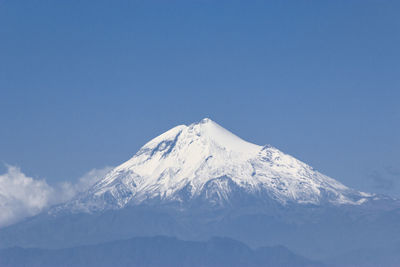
(156, 252)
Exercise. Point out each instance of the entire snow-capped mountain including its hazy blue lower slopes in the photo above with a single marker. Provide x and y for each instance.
(199, 181)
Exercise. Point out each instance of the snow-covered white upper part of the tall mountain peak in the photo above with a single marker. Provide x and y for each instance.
(205, 161)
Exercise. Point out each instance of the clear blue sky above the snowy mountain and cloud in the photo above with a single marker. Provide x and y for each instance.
(84, 84)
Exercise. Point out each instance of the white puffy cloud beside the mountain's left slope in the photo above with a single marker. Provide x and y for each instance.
(22, 196)
